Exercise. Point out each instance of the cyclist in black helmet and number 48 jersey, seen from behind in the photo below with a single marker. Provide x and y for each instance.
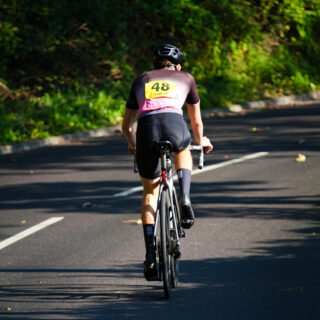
(156, 99)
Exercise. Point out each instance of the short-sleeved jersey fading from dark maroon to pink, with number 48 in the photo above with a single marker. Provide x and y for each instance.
(162, 90)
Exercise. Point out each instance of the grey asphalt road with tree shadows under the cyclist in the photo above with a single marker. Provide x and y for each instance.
(252, 254)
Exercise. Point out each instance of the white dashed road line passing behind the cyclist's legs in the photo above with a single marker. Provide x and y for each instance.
(205, 169)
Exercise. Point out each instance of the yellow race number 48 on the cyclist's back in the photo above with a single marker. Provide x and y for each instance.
(161, 88)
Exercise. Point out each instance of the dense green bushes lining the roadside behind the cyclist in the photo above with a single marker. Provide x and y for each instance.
(67, 65)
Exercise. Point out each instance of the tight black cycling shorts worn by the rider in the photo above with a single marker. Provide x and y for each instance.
(155, 127)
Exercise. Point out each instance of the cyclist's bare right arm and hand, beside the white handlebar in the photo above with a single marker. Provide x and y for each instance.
(197, 126)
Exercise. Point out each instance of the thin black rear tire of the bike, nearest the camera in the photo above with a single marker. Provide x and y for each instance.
(164, 239)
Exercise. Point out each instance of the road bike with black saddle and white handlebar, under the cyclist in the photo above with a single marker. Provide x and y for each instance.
(168, 230)
